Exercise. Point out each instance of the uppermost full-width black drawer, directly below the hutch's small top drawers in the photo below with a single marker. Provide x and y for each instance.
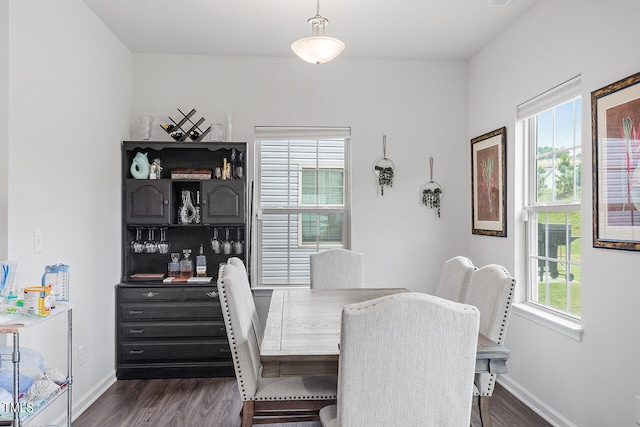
(181, 311)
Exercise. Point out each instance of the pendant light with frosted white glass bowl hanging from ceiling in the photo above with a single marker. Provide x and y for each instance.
(318, 48)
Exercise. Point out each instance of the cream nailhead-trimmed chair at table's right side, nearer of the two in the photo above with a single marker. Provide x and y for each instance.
(491, 290)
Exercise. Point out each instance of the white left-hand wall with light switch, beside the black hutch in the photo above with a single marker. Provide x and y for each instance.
(70, 82)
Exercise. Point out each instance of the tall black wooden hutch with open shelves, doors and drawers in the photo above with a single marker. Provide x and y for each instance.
(175, 329)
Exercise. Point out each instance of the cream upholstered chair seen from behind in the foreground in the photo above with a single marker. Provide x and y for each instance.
(405, 360)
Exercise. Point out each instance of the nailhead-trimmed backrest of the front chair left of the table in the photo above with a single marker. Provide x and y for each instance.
(238, 308)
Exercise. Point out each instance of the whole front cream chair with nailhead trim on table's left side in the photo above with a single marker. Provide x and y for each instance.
(265, 400)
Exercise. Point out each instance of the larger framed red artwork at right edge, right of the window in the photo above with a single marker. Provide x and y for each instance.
(615, 130)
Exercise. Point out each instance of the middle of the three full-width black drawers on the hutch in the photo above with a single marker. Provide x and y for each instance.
(142, 330)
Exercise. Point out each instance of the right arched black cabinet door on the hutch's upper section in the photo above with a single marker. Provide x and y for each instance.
(223, 202)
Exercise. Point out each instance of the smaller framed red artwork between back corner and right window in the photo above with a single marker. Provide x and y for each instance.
(489, 184)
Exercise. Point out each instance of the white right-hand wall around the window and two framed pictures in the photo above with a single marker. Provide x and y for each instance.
(593, 382)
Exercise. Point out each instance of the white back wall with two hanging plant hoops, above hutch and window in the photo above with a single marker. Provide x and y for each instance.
(419, 104)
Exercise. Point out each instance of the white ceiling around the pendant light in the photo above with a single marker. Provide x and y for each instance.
(387, 29)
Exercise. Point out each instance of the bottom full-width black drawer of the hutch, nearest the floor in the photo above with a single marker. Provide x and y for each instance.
(172, 351)
